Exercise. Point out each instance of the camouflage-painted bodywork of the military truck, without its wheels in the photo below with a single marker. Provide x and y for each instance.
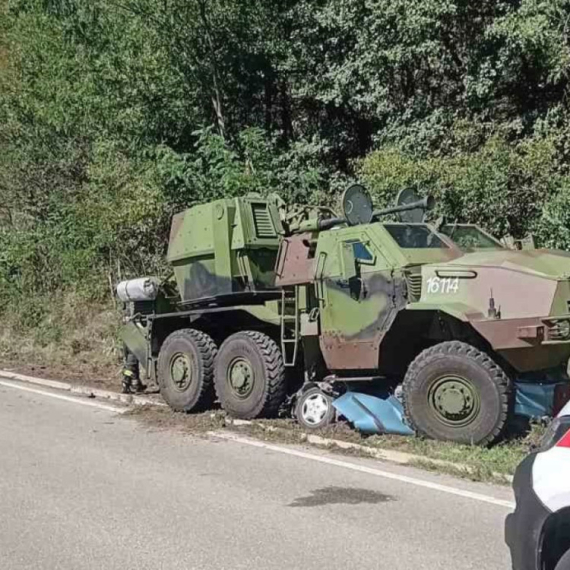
(357, 280)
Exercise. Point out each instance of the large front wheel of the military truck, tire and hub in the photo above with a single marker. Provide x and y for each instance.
(455, 392)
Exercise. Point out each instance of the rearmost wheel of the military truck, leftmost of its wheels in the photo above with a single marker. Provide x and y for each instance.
(186, 370)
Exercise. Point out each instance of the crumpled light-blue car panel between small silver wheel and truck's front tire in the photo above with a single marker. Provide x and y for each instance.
(373, 414)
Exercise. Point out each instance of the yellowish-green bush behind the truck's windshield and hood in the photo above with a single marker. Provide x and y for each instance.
(508, 188)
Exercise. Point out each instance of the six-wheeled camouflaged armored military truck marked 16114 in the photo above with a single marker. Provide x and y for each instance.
(269, 302)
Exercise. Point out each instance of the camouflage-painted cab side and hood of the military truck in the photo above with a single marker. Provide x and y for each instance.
(512, 299)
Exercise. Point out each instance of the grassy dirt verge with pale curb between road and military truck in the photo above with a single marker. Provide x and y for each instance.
(496, 464)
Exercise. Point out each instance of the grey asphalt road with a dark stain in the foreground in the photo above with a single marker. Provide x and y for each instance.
(85, 488)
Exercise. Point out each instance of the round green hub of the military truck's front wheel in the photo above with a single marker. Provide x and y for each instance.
(454, 400)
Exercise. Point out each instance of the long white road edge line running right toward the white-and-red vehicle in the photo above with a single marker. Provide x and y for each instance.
(369, 470)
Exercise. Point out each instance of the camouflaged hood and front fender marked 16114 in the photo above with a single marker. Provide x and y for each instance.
(530, 290)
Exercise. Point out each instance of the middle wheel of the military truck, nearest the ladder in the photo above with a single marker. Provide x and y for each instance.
(250, 375)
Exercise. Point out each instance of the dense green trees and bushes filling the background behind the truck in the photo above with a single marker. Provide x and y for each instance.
(115, 113)
